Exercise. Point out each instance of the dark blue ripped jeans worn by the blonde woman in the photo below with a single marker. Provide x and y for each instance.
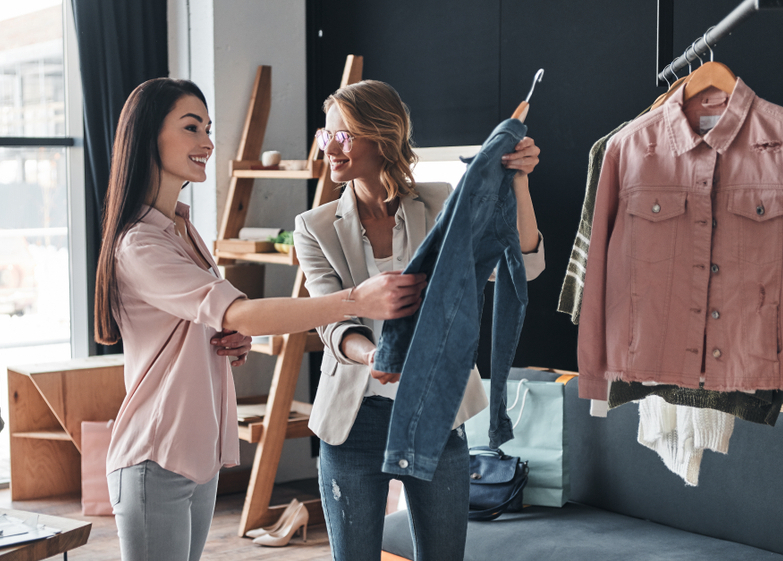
(354, 492)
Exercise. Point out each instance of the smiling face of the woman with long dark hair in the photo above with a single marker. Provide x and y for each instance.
(184, 144)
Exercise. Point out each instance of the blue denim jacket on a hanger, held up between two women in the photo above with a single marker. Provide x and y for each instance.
(435, 349)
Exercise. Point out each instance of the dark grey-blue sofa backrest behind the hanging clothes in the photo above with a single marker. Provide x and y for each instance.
(739, 497)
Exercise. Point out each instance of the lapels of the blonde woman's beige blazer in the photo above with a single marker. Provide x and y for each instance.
(348, 227)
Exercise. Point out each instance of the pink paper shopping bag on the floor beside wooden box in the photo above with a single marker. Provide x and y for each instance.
(95, 488)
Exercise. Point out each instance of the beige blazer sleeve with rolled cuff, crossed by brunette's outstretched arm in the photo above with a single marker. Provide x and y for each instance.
(321, 279)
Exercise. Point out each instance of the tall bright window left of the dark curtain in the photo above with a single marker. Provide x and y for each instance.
(41, 191)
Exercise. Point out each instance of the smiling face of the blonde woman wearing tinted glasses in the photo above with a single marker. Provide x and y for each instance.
(363, 163)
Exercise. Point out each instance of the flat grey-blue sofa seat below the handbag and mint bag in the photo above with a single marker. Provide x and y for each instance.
(576, 532)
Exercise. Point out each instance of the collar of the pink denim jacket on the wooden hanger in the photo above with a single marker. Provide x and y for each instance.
(682, 137)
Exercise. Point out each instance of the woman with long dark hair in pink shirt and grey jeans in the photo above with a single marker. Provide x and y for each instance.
(159, 289)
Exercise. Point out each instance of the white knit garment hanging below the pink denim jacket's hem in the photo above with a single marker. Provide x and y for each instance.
(680, 434)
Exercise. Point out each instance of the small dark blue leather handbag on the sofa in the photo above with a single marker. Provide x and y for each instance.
(496, 483)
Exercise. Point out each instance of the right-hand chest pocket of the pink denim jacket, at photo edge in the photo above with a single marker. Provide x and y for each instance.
(759, 224)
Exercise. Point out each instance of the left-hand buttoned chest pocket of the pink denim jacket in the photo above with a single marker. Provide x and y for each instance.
(653, 224)
